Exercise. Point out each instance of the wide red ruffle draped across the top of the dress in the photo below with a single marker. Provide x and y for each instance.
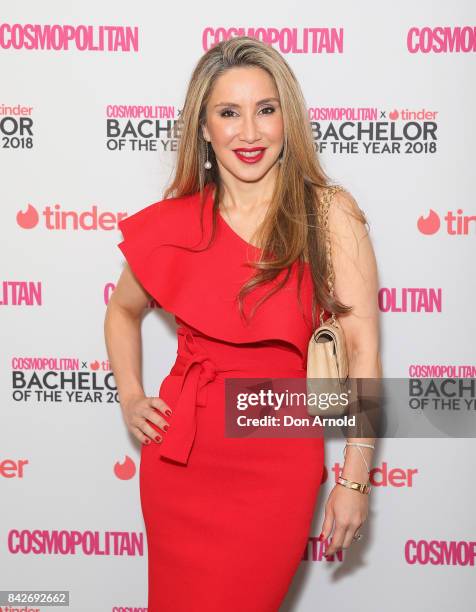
(195, 286)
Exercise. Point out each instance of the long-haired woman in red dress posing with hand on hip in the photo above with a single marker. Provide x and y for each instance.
(227, 519)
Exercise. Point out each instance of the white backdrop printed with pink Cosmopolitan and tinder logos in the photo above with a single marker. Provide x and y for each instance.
(70, 510)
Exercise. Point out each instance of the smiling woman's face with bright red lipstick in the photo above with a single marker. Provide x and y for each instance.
(244, 115)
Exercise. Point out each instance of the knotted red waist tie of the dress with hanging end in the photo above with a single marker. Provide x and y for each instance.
(197, 370)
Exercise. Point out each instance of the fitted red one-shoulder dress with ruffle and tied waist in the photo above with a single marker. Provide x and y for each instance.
(227, 518)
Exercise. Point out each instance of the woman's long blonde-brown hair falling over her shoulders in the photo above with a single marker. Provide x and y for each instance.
(291, 229)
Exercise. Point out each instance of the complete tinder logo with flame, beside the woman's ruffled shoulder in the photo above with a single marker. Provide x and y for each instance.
(54, 218)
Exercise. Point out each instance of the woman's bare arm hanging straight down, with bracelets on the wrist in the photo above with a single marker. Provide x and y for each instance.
(355, 284)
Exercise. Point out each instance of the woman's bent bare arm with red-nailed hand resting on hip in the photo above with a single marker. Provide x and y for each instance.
(122, 331)
